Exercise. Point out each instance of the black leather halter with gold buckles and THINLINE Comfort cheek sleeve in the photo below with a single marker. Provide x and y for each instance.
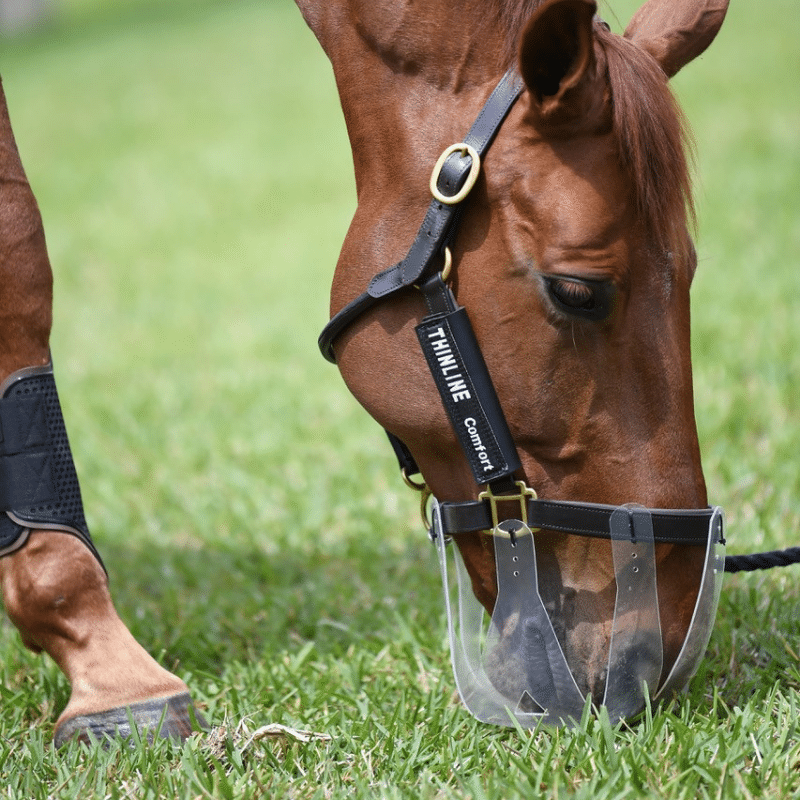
(455, 347)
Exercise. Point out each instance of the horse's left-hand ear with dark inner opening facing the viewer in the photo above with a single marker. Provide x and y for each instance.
(556, 57)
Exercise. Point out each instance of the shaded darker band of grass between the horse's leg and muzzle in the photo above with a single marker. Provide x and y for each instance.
(202, 608)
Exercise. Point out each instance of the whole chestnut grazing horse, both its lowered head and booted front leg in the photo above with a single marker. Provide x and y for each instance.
(573, 259)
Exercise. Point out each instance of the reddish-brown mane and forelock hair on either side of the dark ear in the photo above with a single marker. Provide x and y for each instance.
(655, 144)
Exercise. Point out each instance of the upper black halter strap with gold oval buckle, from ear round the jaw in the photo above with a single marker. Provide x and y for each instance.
(440, 218)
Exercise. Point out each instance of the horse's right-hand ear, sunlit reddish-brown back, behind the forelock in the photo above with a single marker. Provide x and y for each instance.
(676, 31)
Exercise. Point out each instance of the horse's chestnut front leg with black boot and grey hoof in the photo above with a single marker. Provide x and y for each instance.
(54, 585)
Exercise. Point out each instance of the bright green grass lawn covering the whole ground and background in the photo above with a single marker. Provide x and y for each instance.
(194, 175)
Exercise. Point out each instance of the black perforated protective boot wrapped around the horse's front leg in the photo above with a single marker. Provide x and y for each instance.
(38, 483)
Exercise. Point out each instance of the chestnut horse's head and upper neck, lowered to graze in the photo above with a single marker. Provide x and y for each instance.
(574, 262)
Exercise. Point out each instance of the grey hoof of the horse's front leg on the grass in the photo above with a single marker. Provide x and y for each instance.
(165, 718)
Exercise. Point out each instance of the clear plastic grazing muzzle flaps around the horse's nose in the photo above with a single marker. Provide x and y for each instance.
(512, 667)
